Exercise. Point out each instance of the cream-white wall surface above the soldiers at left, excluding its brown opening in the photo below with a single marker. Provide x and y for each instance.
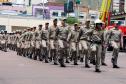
(10, 21)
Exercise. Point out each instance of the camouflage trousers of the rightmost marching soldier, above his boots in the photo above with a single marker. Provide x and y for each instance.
(116, 46)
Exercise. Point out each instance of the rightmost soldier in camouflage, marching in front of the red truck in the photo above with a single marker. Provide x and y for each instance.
(116, 40)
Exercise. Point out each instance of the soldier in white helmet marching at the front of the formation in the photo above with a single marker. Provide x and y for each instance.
(97, 41)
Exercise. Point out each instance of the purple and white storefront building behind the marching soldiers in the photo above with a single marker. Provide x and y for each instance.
(53, 10)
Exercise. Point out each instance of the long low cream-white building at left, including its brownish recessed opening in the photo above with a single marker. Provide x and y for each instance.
(12, 23)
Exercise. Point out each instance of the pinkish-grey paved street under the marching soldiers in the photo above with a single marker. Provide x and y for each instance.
(19, 70)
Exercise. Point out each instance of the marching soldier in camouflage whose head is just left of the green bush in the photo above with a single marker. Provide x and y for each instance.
(62, 33)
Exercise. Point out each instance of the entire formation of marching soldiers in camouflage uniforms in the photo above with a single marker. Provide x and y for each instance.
(63, 44)
